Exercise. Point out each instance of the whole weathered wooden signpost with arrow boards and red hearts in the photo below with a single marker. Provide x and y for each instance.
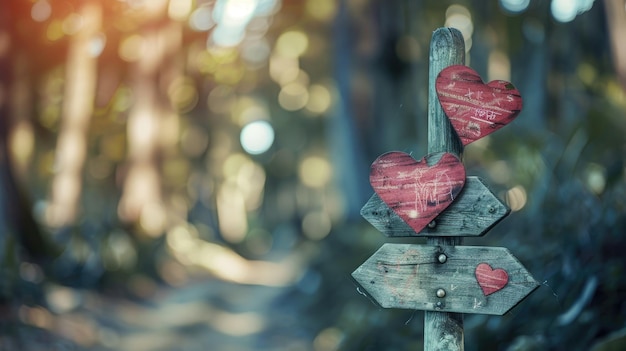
(433, 198)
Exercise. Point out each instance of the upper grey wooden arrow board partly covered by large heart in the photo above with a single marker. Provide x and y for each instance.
(473, 213)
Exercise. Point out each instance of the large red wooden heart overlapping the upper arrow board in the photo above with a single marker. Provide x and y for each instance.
(416, 191)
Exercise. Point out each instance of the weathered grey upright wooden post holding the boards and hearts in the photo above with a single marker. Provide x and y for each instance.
(443, 331)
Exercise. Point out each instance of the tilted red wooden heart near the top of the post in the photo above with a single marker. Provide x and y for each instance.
(476, 109)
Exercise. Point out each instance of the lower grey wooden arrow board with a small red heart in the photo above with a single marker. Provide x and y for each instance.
(462, 279)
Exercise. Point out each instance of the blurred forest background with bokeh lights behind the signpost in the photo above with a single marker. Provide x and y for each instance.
(188, 174)
